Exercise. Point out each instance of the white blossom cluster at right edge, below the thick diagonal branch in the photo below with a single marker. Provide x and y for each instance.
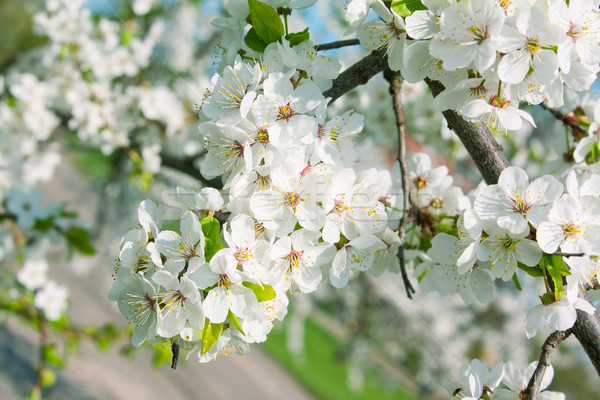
(519, 224)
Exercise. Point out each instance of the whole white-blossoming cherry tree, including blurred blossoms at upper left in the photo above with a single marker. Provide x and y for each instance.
(286, 203)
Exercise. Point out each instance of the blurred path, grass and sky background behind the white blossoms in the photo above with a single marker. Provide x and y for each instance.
(366, 341)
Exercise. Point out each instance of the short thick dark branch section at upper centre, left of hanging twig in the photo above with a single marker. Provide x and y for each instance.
(358, 74)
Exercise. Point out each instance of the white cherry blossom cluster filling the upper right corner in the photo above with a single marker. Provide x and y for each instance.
(490, 55)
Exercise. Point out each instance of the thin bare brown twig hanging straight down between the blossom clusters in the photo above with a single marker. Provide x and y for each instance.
(395, 81)
